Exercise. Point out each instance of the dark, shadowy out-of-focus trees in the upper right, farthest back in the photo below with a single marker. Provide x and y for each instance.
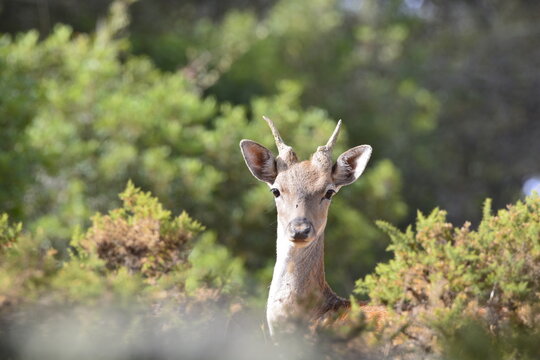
(435, 86)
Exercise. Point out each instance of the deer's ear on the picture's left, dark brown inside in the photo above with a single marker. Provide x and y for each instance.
(260, 161)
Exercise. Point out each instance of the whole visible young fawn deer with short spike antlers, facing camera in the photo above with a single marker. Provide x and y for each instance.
(303, 191)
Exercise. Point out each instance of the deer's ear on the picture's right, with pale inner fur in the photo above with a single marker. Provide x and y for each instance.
(350, 165)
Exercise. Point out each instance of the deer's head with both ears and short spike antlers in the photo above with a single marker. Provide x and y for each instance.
(303, 190)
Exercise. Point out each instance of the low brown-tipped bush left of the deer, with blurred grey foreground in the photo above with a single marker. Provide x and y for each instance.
(136, 282)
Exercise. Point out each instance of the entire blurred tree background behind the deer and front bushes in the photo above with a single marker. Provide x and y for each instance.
(446, 92)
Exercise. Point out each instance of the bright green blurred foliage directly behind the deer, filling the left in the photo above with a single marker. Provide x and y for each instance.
(98, 116)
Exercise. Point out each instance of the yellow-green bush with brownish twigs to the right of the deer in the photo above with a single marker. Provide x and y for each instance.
(442, 278)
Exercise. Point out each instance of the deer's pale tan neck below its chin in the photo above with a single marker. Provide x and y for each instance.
(298, 279)
